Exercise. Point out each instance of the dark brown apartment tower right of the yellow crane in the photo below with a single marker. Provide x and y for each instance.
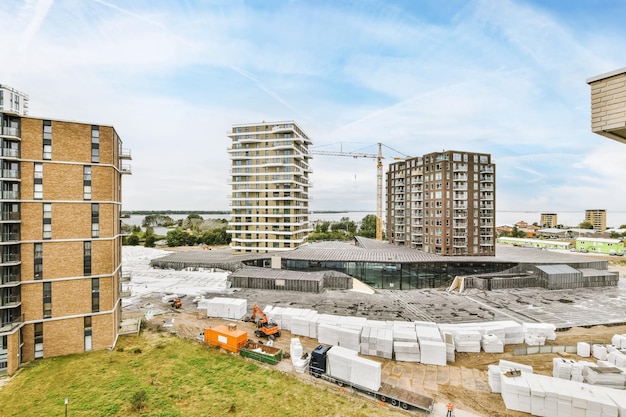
(443, 203)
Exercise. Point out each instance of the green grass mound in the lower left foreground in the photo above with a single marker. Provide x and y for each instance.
(157, 374)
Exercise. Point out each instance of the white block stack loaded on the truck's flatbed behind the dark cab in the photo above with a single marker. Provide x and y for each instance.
(345, 364)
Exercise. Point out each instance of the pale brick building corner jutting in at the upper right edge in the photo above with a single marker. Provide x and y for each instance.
(608, 104)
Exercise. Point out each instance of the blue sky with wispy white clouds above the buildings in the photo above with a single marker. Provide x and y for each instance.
(503, 77)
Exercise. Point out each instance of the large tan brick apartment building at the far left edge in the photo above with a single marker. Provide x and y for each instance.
(60, 246)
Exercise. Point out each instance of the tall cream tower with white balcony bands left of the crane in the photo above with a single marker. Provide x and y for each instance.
(270, 187)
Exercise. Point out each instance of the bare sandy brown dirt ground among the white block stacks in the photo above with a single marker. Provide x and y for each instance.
(464, 382)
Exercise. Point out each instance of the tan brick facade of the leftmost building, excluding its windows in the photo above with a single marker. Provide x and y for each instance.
(63, 252)
